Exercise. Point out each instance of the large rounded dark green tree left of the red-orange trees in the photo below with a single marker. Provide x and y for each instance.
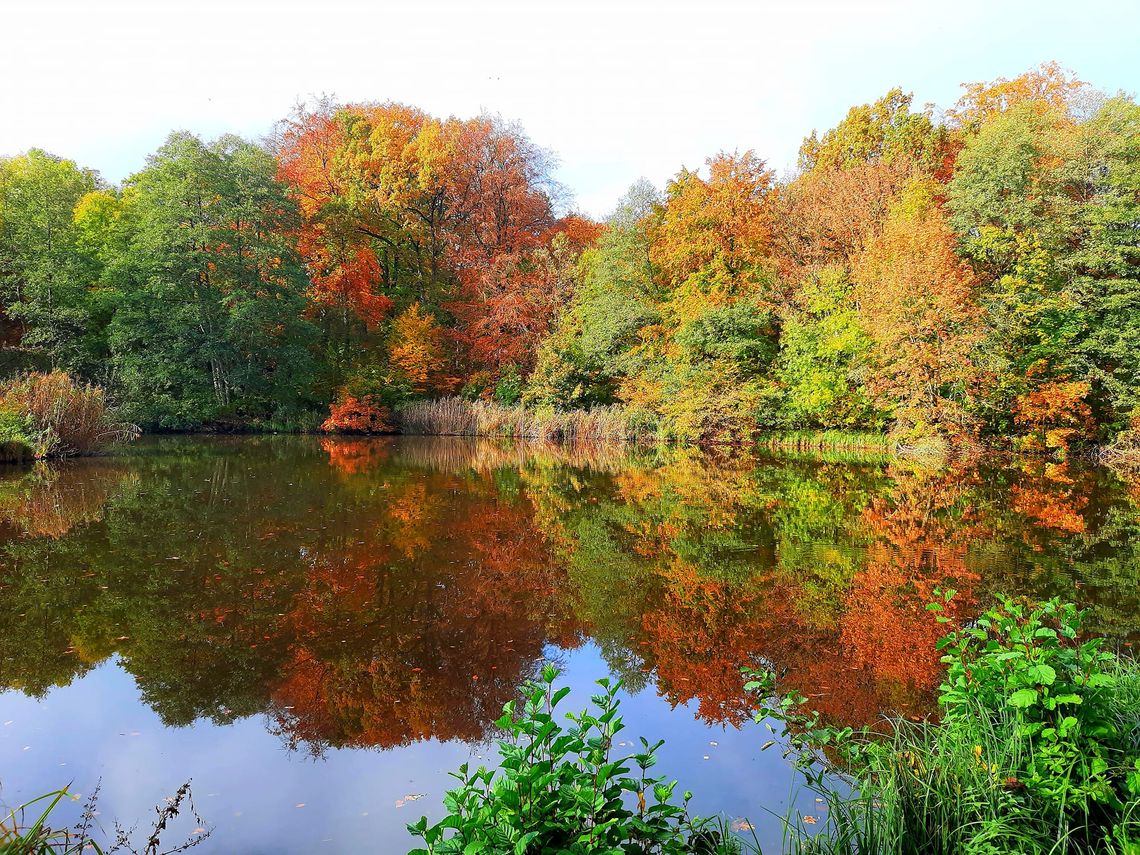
(209, 324)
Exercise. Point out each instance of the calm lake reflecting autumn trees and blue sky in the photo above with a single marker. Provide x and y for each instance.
(315, 631)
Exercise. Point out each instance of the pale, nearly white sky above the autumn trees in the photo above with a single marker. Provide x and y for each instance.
(618, 89)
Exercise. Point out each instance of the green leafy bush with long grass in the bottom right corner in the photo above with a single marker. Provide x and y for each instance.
(1038, 751)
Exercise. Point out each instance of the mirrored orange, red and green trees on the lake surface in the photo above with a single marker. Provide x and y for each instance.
(378, 593)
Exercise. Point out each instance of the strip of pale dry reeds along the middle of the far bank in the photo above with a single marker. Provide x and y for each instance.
(460, 418)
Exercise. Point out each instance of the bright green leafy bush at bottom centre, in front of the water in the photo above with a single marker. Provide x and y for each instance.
(560, 789)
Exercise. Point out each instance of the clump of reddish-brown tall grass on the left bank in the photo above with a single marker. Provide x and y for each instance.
(63, 418)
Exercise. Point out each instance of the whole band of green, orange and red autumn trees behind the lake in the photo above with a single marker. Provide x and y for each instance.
(972, 274)
